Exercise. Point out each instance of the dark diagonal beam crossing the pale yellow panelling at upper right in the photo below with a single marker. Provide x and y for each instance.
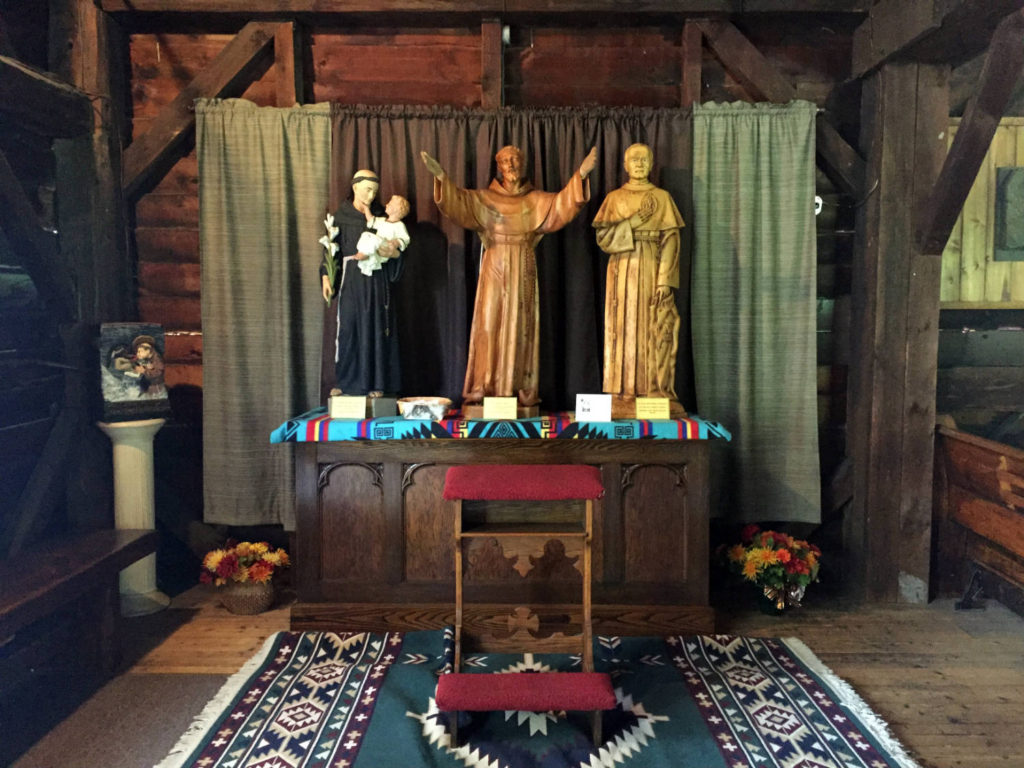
(1003, 68)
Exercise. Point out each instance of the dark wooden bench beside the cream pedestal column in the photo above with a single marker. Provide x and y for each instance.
(66, 592)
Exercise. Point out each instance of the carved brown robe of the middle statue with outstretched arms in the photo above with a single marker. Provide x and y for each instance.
(504, 338)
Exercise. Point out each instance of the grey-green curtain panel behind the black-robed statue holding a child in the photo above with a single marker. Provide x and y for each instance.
(264, 192)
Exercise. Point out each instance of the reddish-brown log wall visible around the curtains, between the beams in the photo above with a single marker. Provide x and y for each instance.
(606, 65)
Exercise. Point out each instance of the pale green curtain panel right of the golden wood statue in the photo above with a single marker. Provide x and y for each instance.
(754, 305)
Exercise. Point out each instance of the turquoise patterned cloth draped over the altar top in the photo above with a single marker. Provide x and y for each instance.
(317, 426)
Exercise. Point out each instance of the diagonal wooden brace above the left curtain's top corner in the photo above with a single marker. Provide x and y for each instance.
(242, 62)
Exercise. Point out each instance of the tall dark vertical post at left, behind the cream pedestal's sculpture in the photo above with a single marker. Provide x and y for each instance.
(86, 50)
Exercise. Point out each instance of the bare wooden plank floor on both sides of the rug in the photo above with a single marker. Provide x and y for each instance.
(950, 684)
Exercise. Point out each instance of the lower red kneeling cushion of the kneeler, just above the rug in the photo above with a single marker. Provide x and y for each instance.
(525, 692)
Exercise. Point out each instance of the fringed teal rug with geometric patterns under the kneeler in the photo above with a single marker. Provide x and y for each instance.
(366, 701)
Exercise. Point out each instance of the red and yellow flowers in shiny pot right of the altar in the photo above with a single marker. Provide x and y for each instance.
(782, 566)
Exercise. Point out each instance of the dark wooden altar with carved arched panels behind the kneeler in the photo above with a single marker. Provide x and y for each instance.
(374, 538)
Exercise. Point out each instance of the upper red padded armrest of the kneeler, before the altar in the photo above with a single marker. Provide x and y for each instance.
(540, 483)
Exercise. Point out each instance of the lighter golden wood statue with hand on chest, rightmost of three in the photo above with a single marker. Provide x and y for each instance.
(638, 227)
